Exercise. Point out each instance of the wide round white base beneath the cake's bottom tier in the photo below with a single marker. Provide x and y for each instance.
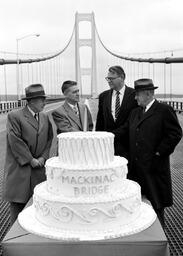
(28, 221)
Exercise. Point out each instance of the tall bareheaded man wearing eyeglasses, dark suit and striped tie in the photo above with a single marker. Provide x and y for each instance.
(115, 106)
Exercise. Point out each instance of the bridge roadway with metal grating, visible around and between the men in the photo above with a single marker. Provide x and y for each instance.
(174, 215)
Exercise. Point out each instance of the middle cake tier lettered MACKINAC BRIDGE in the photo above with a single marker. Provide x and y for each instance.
(85, 182)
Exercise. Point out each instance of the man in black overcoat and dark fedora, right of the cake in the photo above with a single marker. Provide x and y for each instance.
(153, 132)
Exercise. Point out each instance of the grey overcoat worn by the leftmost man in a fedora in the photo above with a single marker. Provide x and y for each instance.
(26, 139)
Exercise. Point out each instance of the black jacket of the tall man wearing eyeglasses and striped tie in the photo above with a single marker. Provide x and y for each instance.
(105, 120)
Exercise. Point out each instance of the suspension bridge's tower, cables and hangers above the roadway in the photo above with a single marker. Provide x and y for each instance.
(86, 60)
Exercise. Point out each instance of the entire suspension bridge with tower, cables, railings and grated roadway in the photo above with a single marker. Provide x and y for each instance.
(86, 60)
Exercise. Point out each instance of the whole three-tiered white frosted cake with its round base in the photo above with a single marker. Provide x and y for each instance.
(86, 195)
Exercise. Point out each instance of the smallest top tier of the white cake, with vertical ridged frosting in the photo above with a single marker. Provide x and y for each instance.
(86, 148)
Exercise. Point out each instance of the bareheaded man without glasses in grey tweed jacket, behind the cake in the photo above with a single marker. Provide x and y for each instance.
(72, 115)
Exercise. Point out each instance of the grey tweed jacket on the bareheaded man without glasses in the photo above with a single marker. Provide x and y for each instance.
(67, 121)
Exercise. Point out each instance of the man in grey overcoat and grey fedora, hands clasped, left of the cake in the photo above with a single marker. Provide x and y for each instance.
(29, 137)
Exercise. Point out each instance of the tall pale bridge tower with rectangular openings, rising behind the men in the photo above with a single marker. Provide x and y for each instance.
(90, 42)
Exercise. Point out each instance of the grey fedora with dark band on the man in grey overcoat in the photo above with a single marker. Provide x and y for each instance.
(34, 91)
